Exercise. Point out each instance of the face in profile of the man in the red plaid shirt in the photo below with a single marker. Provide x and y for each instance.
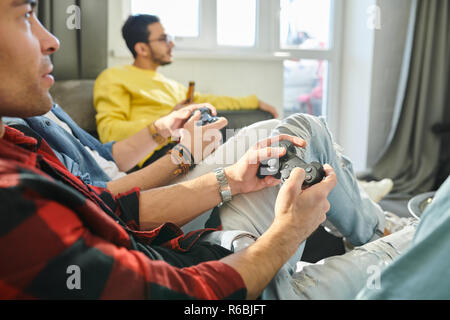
(25, 67)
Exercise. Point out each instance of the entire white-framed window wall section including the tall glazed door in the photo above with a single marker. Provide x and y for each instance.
(303, 35)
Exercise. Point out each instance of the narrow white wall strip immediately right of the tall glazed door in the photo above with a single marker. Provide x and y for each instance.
(356, 79)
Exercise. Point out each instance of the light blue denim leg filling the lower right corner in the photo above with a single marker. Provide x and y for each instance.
(422, 271)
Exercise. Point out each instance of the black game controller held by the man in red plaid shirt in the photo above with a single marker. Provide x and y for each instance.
(281, 168)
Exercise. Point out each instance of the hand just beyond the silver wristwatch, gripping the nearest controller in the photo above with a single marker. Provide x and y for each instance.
(242, 175)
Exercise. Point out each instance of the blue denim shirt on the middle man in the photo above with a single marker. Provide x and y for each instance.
(67, 148)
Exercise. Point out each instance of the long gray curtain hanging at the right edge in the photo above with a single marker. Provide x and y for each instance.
(411, 157)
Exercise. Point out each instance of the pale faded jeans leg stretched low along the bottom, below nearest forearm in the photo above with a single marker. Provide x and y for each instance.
(343, 277)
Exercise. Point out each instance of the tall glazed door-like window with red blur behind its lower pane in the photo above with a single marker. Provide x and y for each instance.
(308, 33)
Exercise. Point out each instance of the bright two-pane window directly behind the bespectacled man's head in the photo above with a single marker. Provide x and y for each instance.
(207, 25)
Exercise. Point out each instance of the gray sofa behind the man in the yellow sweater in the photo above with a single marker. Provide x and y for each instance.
(76, 98)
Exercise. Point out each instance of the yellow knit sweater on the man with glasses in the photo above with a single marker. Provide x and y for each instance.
(127, 99)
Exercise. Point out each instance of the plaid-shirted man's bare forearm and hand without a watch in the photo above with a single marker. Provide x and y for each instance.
(297, 214)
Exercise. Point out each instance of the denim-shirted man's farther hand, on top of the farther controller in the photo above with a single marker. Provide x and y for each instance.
(168, 125)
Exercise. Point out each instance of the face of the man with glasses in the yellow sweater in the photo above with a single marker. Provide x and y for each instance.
(160, 50)
